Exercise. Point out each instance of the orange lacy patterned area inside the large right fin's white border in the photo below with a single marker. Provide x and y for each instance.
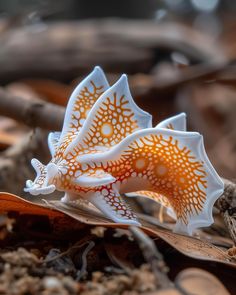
(172, 172)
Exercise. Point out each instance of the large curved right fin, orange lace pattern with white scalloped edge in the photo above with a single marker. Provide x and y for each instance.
(175, 165)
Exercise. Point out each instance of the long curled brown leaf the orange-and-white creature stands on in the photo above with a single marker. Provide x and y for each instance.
(189, 246)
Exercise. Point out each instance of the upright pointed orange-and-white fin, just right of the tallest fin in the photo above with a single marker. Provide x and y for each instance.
(113, 117)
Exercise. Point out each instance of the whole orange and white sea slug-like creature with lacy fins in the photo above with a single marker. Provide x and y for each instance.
(108, 147)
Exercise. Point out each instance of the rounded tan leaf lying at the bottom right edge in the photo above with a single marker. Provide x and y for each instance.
(201, 281)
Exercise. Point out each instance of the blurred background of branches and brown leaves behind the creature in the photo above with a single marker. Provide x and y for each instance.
(179, 55)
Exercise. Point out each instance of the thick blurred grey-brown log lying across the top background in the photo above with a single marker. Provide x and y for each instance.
(124, 45)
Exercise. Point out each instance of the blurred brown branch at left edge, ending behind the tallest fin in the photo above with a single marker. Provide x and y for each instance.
(32, 113)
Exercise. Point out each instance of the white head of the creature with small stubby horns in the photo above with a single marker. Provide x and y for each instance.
(45, 178)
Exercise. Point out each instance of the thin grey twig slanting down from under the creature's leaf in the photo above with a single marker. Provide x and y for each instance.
(153, 257)
